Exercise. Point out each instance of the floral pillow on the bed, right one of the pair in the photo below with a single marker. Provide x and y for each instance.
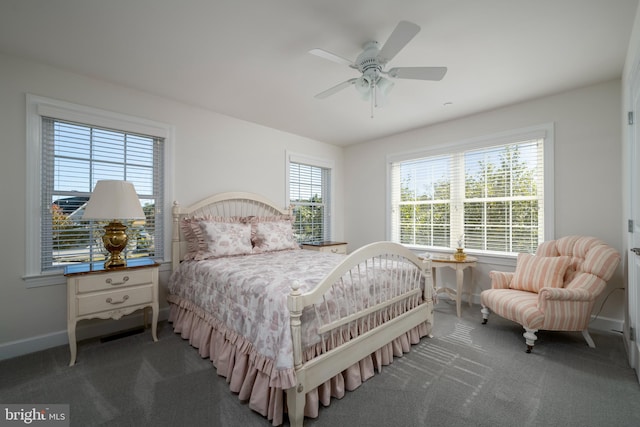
(272, 234)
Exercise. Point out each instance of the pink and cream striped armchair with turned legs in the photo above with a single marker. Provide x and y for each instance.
(555, 289)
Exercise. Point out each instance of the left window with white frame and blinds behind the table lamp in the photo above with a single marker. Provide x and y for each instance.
(75, 147)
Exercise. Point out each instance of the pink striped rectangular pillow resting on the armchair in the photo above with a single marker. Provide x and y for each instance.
(536, 272)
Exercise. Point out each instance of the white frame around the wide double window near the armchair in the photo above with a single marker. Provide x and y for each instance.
(543, 131)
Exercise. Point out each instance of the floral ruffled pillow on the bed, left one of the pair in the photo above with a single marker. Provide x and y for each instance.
(225, 239)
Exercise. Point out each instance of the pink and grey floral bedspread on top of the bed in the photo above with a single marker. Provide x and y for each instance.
(248, 294)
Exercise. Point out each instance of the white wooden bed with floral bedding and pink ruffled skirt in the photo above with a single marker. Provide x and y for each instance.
(288, 328)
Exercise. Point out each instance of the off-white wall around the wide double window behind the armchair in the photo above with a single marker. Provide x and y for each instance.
(588, 195)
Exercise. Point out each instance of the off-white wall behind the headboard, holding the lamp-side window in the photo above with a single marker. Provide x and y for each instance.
(211, 153)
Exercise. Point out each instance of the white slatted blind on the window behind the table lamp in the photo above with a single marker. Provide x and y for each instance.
(74, 157)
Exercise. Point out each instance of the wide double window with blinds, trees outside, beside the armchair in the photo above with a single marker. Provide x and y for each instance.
(487, 195)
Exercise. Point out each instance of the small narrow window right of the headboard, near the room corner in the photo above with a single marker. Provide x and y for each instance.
(310, 196)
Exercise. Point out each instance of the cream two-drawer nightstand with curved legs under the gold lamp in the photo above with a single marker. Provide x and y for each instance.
(93, 292)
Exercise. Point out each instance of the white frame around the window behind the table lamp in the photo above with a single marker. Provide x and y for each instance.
(38, 107)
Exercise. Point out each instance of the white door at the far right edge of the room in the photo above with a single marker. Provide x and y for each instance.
(633, 292)
